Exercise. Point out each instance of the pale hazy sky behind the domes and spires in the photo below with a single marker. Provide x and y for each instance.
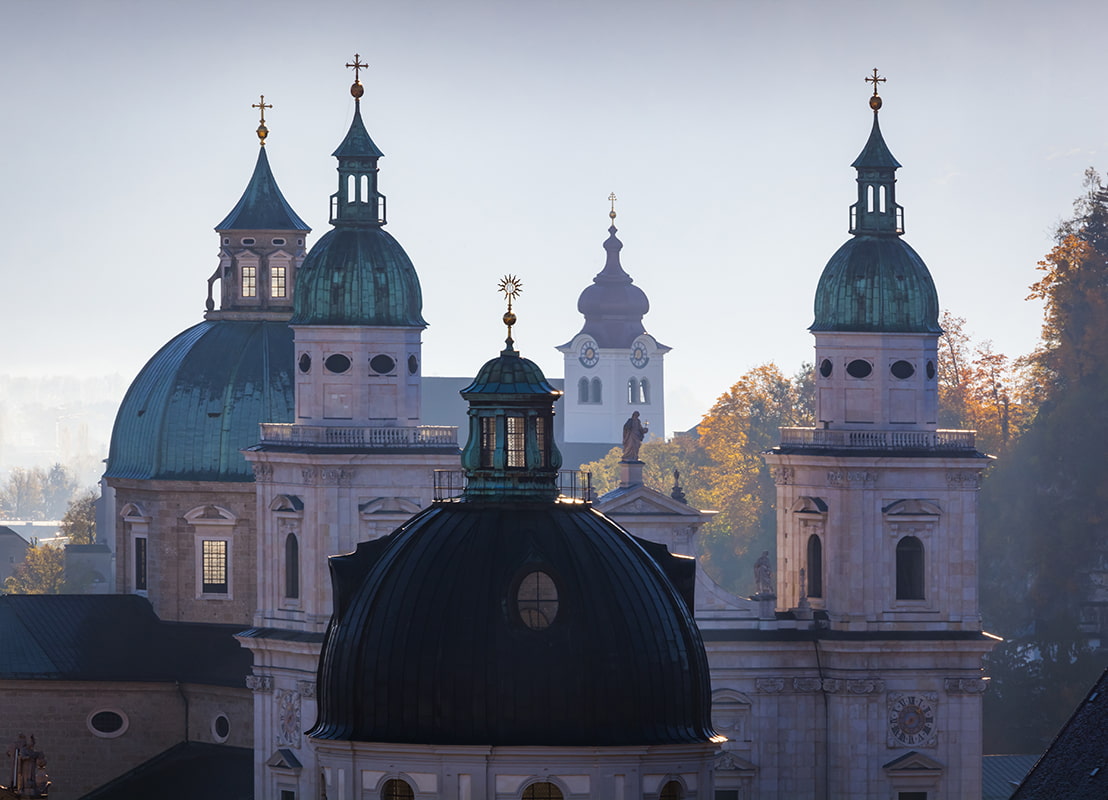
(725, 129)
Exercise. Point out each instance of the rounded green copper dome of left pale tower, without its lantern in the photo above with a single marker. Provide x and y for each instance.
(358, 276)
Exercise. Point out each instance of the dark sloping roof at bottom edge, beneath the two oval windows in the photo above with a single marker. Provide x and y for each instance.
(187, 772)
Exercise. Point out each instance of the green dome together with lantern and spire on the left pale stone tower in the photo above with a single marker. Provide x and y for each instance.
(357, 274)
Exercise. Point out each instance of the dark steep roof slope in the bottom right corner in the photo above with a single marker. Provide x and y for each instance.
(1075, 767)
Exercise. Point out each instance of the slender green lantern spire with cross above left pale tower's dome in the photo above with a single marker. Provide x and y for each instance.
(357, 203)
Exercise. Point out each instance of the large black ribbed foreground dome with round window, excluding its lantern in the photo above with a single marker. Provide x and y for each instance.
(428, 644)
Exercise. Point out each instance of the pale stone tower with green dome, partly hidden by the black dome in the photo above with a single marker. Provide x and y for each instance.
(353, 465)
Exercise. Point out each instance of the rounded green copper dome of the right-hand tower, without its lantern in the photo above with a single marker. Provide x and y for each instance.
(877, 284)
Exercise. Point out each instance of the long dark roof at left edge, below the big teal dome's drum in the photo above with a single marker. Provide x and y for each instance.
(112, 638)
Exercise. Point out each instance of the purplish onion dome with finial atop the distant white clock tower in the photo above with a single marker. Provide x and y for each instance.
(613, 306)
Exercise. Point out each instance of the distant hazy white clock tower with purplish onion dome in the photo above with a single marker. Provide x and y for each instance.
(613, 367)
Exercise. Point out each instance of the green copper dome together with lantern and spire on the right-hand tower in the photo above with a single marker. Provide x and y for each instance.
(876, 282)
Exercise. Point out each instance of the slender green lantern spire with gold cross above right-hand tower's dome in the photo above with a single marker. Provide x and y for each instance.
(876, 212)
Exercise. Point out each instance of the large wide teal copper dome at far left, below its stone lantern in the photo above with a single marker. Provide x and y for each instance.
(199, 402)
